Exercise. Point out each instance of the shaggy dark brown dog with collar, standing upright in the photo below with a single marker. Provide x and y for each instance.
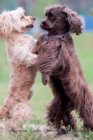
(60, 68)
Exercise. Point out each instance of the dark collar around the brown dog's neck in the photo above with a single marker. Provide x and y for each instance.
(47, 37)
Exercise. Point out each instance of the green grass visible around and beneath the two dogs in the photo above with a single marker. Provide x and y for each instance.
(42, 94)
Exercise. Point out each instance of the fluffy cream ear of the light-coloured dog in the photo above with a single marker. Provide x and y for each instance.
(5, 23)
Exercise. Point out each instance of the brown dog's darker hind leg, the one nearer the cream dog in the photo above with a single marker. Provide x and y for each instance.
(59, 110)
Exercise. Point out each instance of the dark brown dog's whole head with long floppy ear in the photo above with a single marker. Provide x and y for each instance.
(59, 18)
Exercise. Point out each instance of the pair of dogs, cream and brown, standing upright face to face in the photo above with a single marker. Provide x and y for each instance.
(57, 62)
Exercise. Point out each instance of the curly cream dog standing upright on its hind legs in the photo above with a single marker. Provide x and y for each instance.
(16, 109)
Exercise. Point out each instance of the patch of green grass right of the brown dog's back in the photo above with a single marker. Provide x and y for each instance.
(84, 49)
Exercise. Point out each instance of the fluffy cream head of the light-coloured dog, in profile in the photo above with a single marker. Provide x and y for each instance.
(15, 21)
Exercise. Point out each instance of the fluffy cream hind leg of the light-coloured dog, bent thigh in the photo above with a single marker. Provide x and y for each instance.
(21, 113)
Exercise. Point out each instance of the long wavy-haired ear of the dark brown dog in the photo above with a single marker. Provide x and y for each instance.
(74, 20)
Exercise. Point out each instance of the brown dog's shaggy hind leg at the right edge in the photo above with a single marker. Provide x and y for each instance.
(86, 109)
